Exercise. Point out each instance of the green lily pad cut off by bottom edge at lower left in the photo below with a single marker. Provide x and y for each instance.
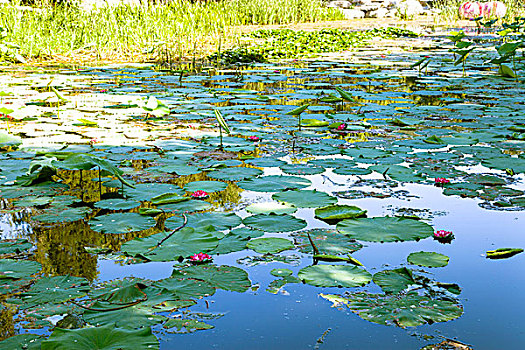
(106, 337)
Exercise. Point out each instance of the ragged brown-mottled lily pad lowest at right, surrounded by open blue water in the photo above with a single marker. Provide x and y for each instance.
(408, 310)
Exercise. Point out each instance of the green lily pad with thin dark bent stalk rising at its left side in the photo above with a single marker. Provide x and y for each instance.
(326, 241)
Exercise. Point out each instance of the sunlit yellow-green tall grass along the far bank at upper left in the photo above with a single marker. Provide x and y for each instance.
(178, 28)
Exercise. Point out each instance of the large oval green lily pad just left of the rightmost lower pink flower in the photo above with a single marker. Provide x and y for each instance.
(385, 229)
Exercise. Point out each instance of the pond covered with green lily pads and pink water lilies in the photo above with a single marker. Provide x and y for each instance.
(348, 202)
